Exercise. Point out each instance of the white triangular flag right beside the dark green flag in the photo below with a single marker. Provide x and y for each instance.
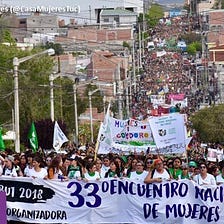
(59, 137)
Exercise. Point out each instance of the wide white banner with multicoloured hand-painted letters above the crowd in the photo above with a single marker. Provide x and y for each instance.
(115, 135)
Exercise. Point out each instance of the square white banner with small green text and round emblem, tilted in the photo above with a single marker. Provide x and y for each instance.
(168, 130)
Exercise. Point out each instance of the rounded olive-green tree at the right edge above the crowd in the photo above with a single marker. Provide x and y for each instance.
(209, 124)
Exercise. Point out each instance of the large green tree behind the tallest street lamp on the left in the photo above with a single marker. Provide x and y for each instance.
(32, 73)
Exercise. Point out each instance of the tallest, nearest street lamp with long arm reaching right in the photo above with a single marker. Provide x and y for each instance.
(16, 63)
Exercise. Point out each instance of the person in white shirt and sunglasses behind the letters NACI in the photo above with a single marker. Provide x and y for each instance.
(204, 178)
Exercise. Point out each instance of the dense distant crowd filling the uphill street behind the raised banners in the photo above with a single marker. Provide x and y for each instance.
(166, 70)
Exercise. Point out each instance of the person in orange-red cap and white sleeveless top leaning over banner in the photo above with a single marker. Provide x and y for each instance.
(158, 174)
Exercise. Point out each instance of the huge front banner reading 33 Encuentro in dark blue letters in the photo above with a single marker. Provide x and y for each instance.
(112, 201)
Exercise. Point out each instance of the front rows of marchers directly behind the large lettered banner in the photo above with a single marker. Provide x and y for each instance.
(83, 165)
